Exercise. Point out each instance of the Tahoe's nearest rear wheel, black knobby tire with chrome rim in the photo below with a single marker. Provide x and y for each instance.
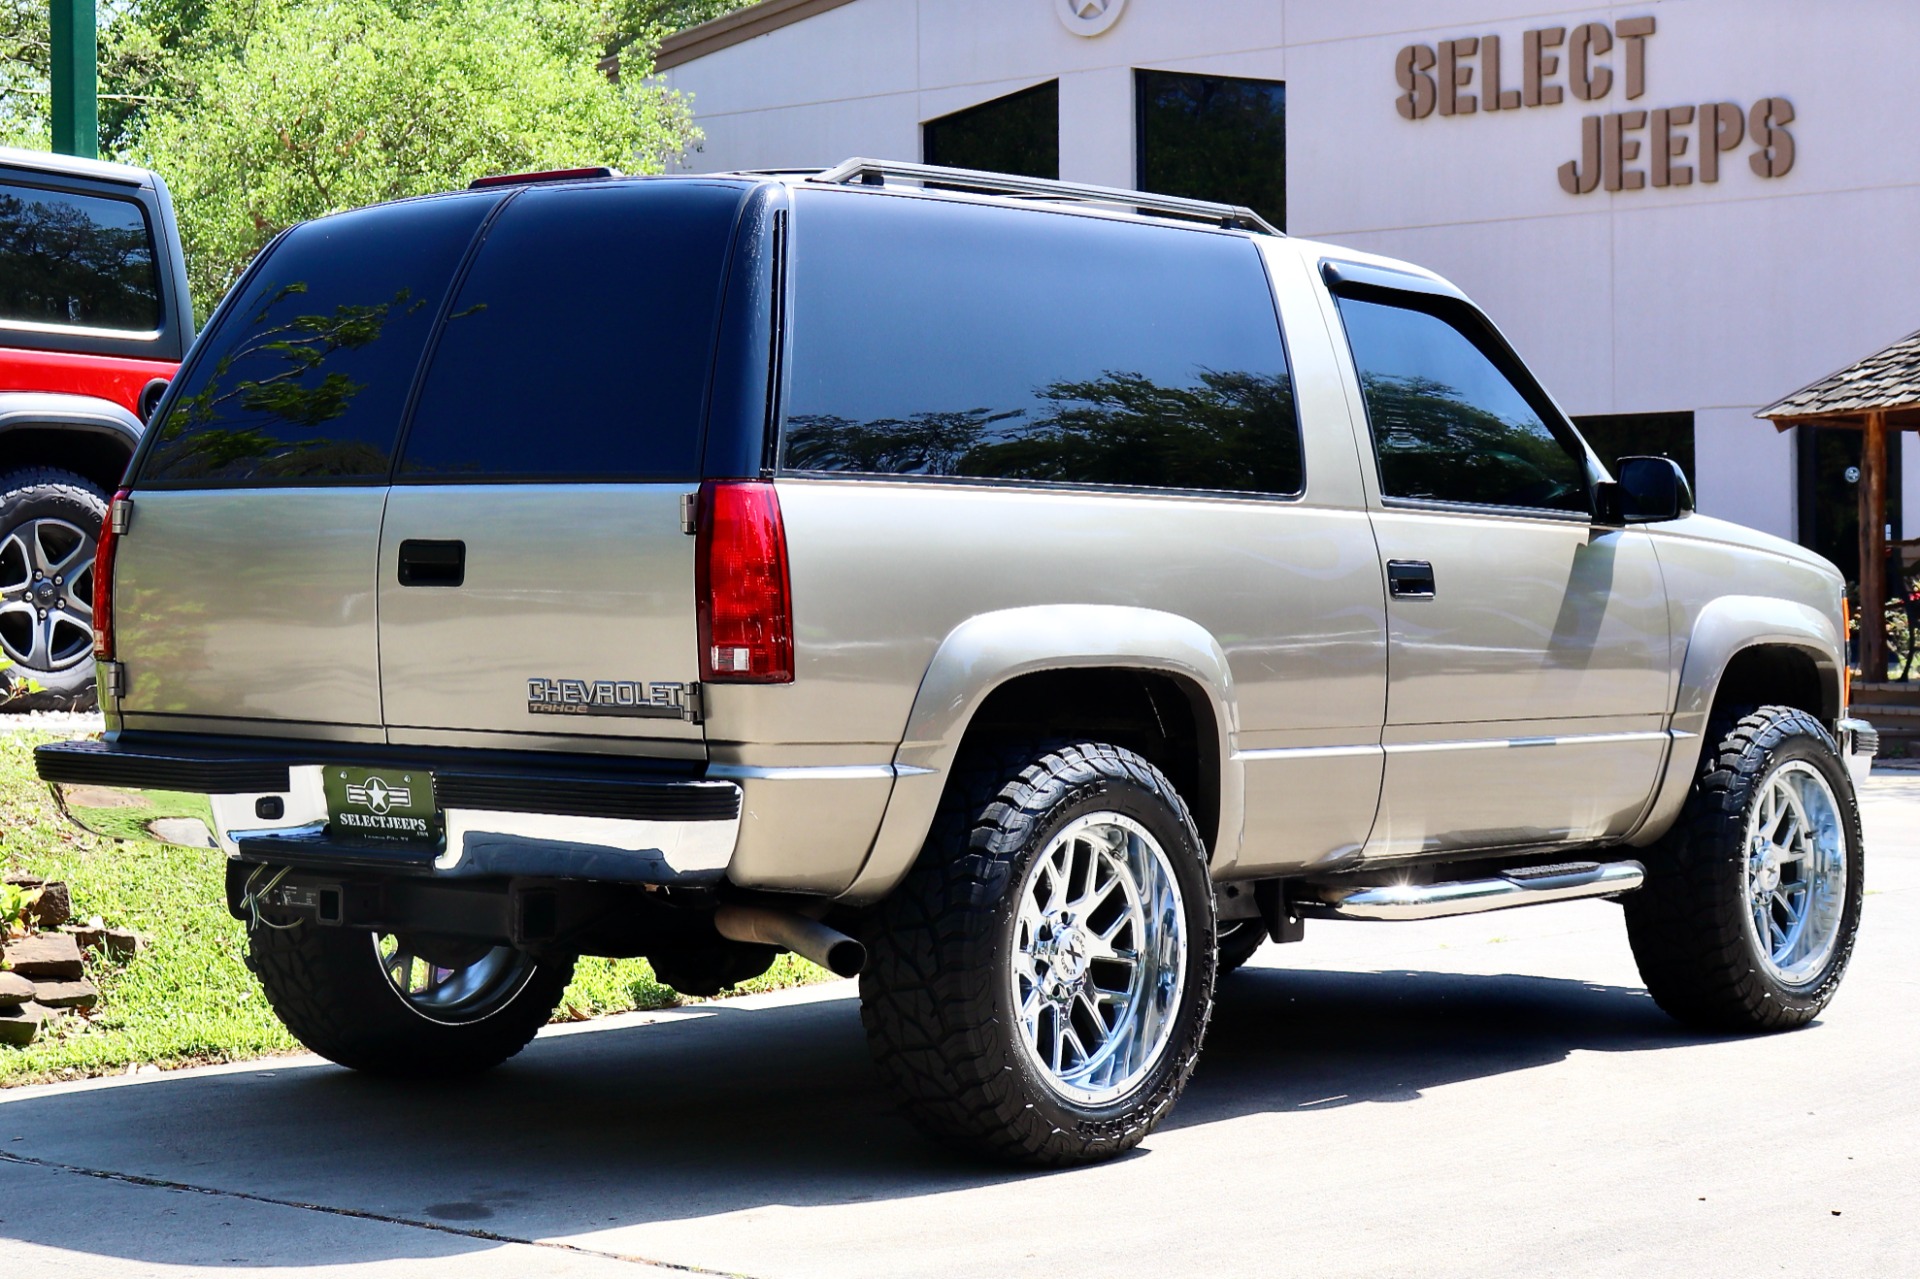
(1040, 984)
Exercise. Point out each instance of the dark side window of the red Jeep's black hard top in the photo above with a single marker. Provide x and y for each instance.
(74, 260)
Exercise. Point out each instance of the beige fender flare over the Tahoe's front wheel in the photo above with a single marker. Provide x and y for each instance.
(1725, 629)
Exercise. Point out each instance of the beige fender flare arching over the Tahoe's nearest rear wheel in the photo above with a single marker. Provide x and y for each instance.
(992, 648)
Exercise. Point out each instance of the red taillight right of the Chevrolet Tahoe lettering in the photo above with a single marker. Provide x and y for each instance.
(744, 598)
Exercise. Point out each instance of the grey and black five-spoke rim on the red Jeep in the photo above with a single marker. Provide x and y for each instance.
(47, 594)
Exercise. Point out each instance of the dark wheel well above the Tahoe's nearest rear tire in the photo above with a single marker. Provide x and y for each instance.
(1161, 717)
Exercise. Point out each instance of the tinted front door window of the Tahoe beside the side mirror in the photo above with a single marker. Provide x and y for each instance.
(1449, 425)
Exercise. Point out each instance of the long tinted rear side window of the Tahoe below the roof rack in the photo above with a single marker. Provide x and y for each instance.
(961, 341)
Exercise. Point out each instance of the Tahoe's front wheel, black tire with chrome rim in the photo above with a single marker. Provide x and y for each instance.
(1754, 900)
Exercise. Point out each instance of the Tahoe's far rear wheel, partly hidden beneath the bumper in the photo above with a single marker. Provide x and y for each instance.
(418, 1007)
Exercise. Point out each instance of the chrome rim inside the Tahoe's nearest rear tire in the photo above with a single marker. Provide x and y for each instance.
(1099, 959)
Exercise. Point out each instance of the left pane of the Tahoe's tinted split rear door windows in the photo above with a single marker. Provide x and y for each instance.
(310, 370)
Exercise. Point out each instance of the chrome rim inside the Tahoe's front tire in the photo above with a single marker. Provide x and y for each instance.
(1796, 875)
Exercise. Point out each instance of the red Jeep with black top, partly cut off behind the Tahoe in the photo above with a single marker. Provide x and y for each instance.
(93, 322)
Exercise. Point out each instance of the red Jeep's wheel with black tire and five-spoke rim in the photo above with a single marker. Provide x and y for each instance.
(49, 531)
